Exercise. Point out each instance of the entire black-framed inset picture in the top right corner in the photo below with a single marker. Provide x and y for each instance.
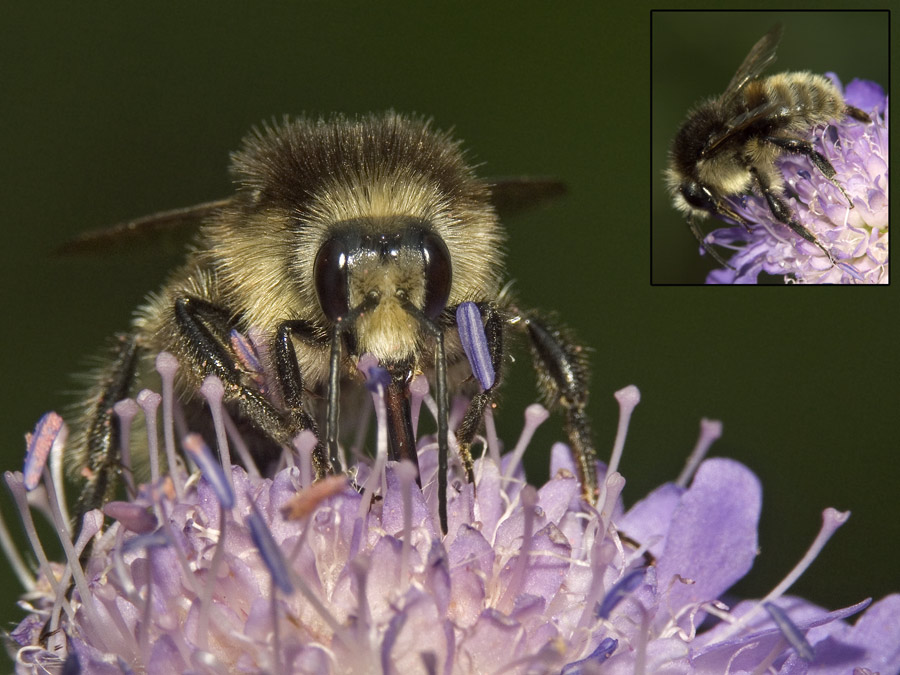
(769, 147)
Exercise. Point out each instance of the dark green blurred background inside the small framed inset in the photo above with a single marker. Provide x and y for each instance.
(694, 57)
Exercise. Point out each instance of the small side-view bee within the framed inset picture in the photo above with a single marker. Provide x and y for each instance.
(728, 145)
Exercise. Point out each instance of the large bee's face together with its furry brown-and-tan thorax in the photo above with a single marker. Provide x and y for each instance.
(375, 223)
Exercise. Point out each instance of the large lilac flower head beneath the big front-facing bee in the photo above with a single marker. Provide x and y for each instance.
(214, 569)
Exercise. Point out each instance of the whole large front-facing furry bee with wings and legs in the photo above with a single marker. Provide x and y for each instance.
(344, 237)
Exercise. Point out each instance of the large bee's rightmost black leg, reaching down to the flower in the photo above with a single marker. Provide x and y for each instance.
(563, 376)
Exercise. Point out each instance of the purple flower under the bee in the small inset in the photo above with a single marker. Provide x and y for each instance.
(857, 238)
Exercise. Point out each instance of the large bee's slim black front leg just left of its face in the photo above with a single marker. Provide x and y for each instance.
(287, 369)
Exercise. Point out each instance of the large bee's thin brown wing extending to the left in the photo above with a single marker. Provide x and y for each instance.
(178, 223)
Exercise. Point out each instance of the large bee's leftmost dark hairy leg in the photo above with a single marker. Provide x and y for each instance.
(102, 436)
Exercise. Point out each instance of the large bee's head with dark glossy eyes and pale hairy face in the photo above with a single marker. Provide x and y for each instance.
(380, 272)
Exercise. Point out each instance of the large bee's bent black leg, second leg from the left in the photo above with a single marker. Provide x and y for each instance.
(200, 322)
